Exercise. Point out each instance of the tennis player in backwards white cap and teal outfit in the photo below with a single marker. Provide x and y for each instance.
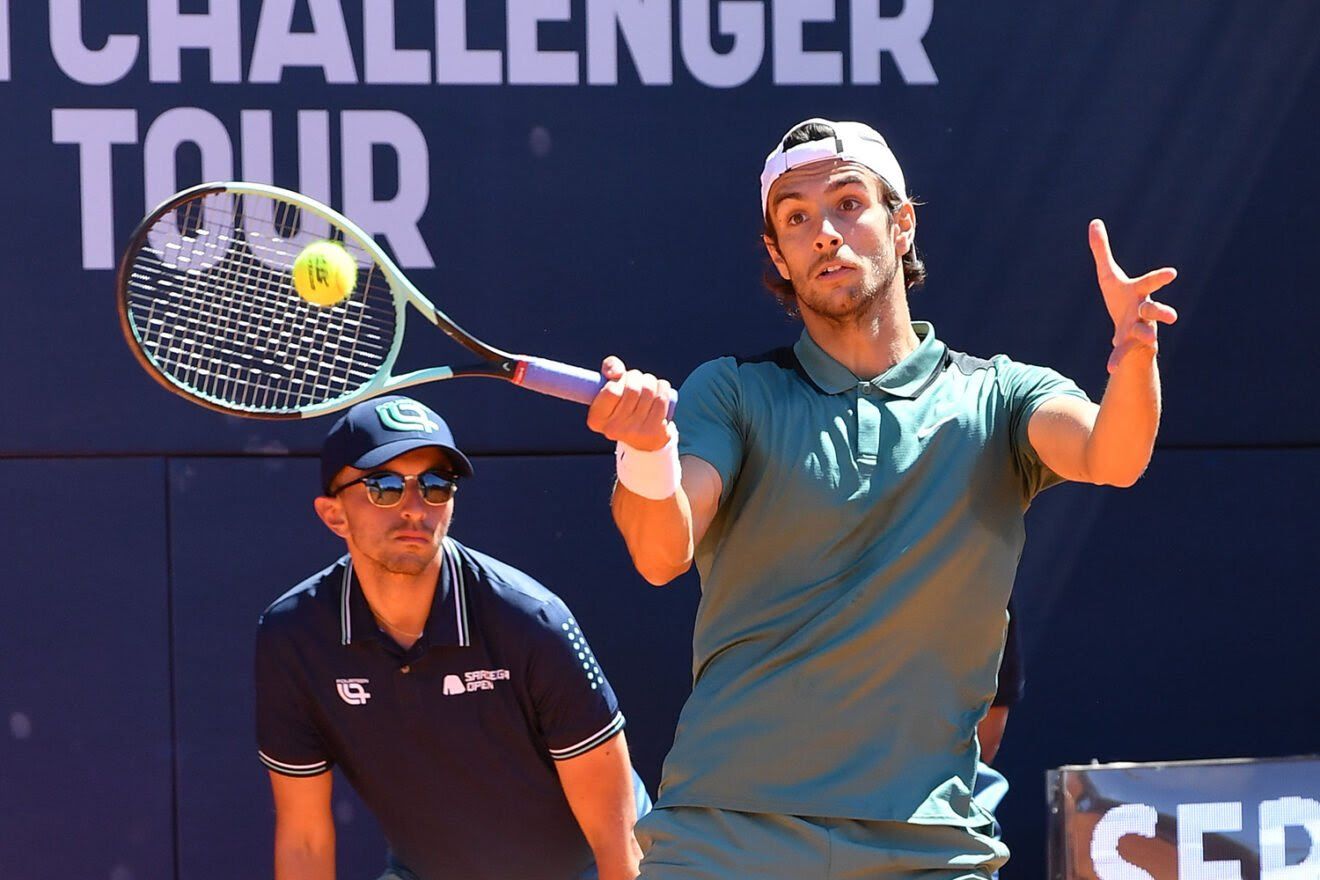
(855, 505)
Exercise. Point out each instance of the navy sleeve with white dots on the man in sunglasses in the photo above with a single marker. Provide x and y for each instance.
(576, 708)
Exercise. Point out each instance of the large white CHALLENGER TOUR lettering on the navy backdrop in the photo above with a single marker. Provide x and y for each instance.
(740, 28)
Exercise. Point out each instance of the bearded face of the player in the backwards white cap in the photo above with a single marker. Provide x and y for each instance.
(839, 245)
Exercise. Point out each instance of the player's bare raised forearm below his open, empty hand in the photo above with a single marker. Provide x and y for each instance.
(1124, 437)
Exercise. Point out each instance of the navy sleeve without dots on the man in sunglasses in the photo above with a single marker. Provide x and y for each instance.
(287, 737)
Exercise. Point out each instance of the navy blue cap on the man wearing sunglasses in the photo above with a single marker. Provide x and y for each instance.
(377, 431)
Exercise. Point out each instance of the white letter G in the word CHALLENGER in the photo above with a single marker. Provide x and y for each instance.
(744, 20)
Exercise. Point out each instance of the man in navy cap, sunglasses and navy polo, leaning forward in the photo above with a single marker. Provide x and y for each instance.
(457, 695)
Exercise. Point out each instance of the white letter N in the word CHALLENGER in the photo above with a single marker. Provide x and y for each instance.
(645, 26)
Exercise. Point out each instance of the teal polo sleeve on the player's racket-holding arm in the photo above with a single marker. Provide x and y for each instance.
(709, 422)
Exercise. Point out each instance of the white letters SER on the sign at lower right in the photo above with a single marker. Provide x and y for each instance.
(1198, 820)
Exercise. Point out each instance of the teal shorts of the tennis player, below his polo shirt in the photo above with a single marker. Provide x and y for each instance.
(703, 844)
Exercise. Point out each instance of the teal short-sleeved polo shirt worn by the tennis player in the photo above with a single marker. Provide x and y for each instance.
(855, 579)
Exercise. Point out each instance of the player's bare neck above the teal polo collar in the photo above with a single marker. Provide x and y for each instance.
(871, 344)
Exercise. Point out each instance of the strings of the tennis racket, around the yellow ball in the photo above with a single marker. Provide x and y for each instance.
(212, 301)
